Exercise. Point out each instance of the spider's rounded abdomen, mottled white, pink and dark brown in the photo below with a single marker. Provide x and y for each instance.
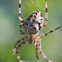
(34, 22)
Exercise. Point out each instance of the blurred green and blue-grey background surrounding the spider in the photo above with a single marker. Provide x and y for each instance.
(9, 30)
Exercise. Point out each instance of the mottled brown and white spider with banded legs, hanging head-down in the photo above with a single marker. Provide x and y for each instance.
(32, 26)
